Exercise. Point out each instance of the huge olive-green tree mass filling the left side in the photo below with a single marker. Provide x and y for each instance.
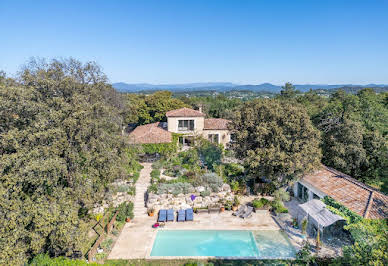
(60, 144)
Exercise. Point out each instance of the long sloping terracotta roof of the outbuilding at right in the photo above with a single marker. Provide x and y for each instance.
(349, 192)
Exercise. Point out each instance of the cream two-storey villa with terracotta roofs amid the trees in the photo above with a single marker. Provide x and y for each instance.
(188, 123)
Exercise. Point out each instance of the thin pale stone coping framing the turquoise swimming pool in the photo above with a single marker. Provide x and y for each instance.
(149, 248)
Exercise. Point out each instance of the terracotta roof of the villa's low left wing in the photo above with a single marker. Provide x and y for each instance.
(150, 133)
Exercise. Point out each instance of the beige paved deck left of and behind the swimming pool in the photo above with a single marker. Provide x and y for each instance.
(137, 237)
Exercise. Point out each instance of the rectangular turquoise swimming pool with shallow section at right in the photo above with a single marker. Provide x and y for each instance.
(222, 243)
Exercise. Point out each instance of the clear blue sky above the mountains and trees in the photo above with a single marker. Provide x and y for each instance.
(246, 42)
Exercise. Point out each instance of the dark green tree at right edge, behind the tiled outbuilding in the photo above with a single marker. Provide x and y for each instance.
(354, 135)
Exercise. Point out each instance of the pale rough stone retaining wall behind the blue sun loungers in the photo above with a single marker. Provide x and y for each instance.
(183, 201)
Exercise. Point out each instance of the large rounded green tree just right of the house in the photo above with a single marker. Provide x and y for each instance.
(276, 139)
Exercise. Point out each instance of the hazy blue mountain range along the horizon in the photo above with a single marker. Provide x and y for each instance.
(227, 86)
